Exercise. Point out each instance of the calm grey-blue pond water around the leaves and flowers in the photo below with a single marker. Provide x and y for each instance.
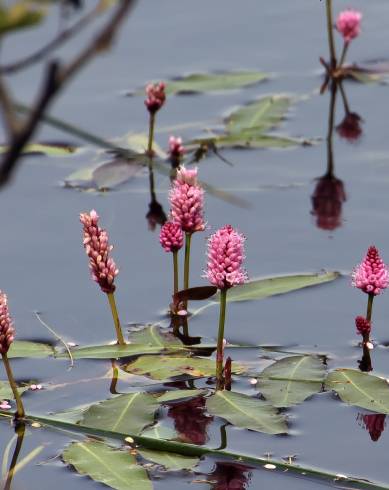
(44, 268)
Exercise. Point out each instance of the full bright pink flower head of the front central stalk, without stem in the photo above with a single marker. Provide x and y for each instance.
(225, 258)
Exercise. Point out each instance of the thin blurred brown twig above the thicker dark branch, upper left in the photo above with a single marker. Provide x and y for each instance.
(52, 45)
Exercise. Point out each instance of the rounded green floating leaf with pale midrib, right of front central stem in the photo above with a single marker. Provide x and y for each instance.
(291, 380)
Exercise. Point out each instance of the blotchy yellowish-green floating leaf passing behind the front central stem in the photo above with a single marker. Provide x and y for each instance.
(164, 367)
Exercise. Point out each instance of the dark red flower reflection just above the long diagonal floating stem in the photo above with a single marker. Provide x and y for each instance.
(190, 420)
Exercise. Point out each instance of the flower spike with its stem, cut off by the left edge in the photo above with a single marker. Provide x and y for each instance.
(7, 335)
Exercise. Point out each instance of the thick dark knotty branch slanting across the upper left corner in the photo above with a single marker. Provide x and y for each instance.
(55, 80)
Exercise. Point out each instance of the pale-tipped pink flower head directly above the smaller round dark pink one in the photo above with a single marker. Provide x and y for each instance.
(187, 201)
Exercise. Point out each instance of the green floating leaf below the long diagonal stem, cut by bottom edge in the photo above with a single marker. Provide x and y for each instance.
(116, 469)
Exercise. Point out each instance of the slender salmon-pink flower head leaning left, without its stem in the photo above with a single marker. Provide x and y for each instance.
(102, 266)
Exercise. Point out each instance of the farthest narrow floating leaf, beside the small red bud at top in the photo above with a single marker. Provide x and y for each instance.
(213, 82)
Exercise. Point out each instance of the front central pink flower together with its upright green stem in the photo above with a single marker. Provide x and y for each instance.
(224, 270)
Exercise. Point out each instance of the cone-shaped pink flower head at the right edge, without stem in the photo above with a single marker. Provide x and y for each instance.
(371, 275)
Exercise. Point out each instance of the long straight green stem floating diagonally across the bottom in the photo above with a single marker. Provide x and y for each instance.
(199, 451)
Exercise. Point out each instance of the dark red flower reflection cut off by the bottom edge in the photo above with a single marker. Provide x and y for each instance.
(230, 476)
